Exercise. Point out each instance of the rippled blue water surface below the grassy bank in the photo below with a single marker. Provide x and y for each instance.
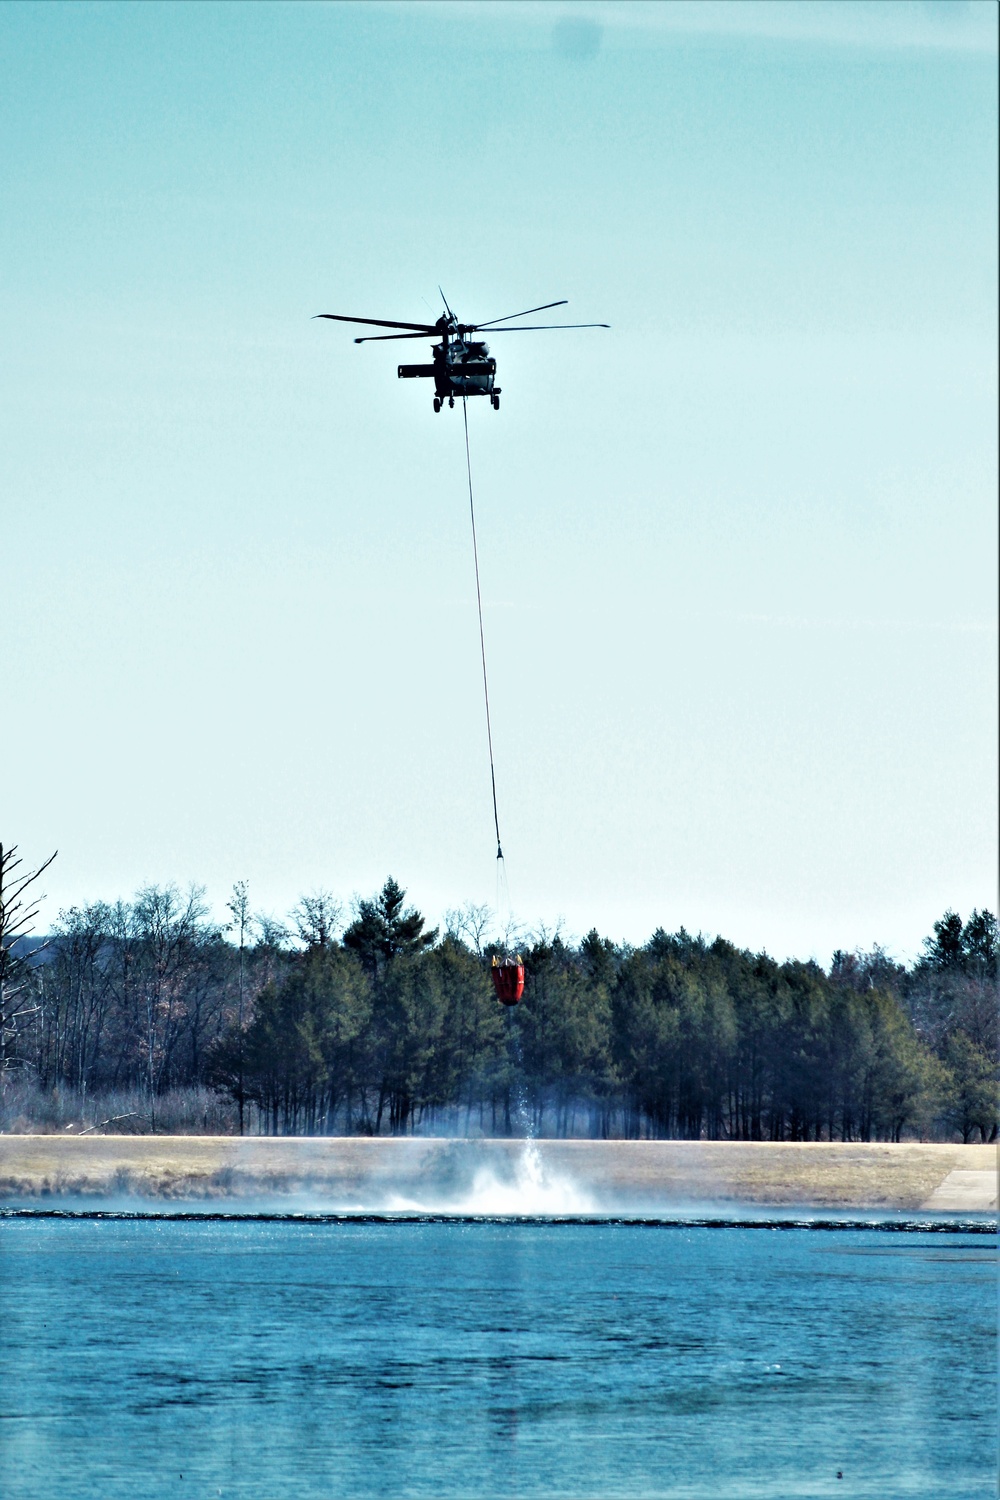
(271, 1358)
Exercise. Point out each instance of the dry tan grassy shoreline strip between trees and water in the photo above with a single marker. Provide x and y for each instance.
(440, 1174)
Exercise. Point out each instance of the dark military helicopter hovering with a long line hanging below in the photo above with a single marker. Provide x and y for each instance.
(461, 367)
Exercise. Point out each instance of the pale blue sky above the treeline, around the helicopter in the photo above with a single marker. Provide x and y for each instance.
(738, 551)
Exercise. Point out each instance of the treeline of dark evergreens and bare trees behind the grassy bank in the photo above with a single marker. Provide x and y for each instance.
(383, 1027)
